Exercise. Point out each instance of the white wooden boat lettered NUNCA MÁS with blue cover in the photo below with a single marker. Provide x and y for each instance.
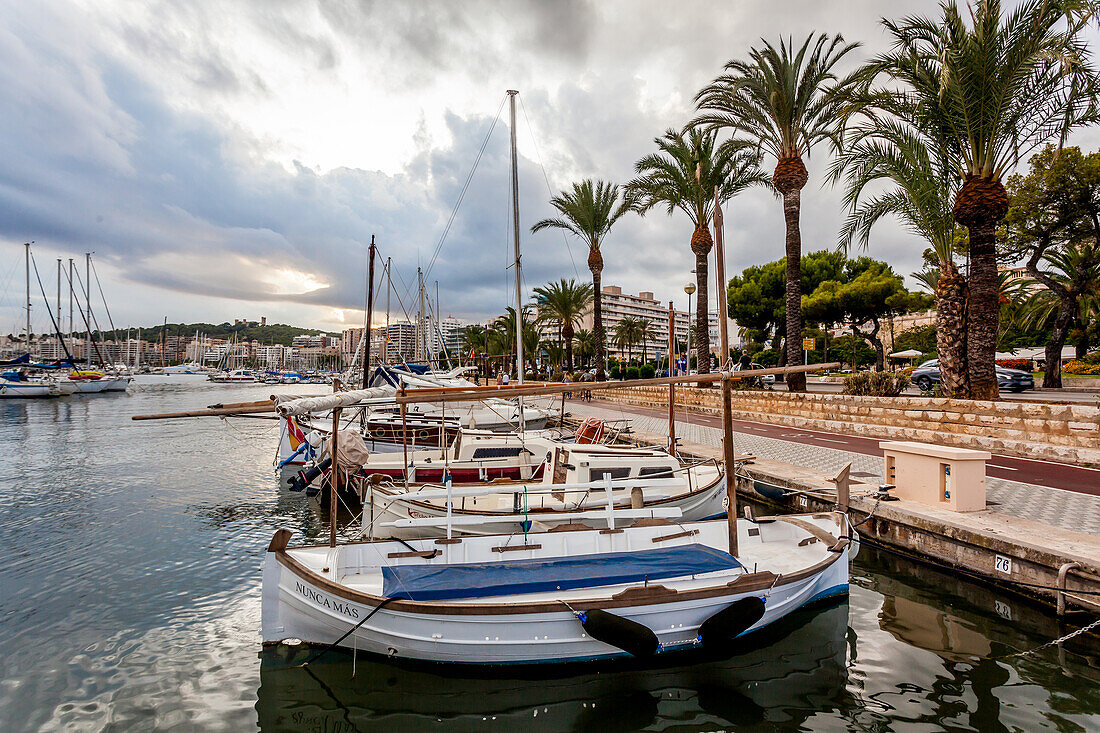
(566, 596)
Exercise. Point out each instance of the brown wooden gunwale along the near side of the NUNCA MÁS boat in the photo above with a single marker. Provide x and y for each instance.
(747, 583)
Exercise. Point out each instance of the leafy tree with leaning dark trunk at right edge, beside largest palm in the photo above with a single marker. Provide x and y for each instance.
(1054, 225)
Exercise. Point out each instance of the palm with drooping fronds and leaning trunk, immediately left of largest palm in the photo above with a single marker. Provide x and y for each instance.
(923, 187)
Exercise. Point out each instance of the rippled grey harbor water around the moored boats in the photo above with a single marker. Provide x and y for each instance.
(130, 600)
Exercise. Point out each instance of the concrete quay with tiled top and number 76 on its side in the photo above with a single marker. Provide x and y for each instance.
(1028, 534)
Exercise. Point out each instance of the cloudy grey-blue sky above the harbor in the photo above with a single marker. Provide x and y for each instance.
(228, 160)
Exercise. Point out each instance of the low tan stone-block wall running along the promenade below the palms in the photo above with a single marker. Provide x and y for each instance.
(1062, 433)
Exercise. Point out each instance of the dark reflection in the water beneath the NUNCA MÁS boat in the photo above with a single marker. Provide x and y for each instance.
(791, 672)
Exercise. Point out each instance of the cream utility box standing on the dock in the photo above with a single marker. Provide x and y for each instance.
(938, 476)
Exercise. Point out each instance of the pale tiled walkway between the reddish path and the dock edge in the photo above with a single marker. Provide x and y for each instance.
(1071, 510)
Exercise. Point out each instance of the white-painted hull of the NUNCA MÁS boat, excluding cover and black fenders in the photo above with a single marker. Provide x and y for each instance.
(307, 607)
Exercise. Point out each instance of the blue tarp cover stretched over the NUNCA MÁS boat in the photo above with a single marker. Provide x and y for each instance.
(437, 583)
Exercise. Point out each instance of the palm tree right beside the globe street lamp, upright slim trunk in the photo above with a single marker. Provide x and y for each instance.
(684, 176)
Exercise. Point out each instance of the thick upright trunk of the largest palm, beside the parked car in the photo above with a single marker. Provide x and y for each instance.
(983, 313)
